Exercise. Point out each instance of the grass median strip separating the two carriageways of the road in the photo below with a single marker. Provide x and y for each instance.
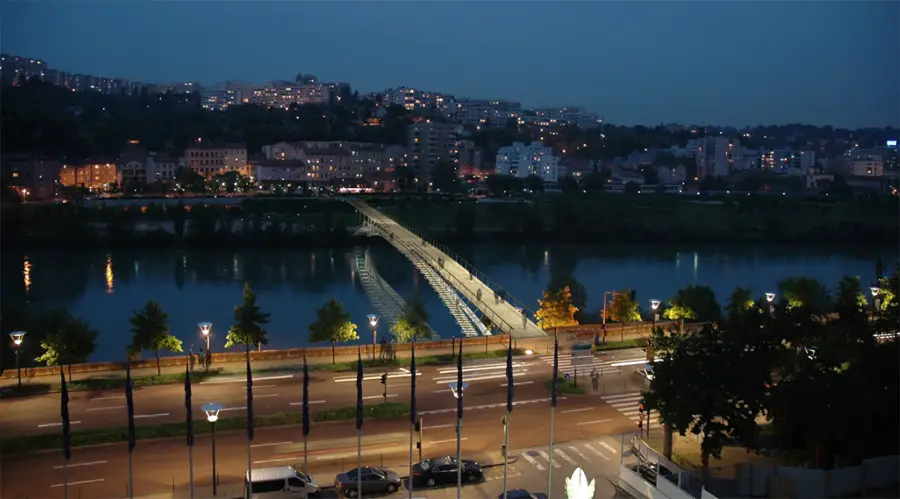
(33, 443)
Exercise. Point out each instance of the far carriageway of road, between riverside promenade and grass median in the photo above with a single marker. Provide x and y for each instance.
(274, 392)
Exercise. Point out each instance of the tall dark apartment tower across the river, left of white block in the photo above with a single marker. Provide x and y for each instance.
(430, 143)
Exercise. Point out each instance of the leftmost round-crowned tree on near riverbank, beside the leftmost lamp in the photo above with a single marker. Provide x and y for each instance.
(67, 339)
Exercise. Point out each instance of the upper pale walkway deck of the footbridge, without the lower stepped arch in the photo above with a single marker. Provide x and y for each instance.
(504, 315)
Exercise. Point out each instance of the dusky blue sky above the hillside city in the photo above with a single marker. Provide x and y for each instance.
(716, 62)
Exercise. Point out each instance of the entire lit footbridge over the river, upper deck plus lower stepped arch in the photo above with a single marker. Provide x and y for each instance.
(501, 310)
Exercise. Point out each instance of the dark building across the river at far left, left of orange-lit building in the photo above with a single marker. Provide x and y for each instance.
(33, 178)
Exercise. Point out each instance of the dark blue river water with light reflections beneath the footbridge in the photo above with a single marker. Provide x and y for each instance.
(196, 285)
